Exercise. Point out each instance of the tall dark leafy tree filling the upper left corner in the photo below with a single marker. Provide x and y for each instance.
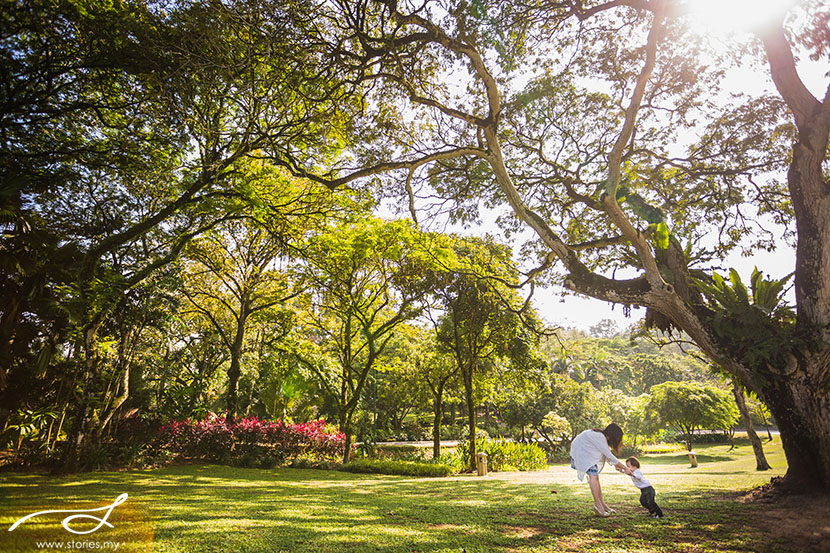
(124, 126)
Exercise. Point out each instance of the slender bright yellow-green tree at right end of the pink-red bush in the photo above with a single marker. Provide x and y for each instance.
(362, 281)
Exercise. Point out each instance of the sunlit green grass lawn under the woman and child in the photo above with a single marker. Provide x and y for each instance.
(206, 508)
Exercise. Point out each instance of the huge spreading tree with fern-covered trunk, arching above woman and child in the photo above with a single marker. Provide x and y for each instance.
(603, 126)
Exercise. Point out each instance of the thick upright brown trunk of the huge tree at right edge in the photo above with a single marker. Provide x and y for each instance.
(799, 399)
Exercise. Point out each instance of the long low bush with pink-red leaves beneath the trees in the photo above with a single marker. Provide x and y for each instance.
(251, 441)
